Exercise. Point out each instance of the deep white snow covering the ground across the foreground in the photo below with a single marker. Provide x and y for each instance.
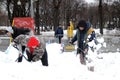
(62, 66)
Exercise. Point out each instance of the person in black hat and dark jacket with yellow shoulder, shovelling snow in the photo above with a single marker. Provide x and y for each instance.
(81, 36)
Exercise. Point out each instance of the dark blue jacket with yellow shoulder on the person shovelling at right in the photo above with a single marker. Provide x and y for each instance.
(81, 37)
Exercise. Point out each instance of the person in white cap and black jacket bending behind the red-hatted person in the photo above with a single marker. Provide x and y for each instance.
(14, 32)
